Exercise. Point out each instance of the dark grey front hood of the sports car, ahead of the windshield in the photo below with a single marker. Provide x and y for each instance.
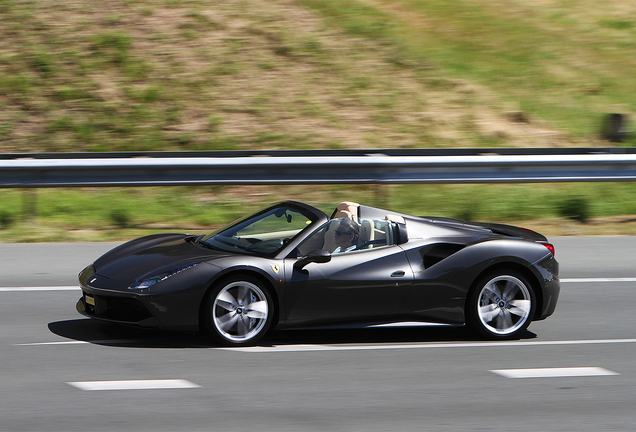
(149, 256)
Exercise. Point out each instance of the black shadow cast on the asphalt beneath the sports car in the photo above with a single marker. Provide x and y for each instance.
(99, 333)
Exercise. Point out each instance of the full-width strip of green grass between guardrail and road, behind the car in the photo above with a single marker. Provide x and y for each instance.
(122, 214)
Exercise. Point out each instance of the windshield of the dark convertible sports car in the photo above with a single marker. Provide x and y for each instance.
(264, 233)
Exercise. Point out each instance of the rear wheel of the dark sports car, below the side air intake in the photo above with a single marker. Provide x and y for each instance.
(501, 305)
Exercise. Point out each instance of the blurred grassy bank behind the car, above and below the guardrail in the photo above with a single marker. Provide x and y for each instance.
(155, 75)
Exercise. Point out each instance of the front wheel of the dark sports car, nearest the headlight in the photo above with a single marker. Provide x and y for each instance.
(239, 311)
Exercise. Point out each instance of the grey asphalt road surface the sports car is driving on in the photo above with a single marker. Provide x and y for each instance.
(376, 379)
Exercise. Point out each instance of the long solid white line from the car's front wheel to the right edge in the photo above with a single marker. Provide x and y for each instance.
(306, 348)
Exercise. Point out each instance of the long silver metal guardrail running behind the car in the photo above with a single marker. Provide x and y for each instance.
(318, 167)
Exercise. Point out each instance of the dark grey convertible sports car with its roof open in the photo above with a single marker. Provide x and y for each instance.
(292, 265)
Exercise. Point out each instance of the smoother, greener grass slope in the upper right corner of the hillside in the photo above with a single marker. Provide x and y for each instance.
(561, 61)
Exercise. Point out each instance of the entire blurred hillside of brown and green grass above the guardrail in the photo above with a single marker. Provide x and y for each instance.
(197, 75)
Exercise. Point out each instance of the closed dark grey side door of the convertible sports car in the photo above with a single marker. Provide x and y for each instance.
(359, 285)
